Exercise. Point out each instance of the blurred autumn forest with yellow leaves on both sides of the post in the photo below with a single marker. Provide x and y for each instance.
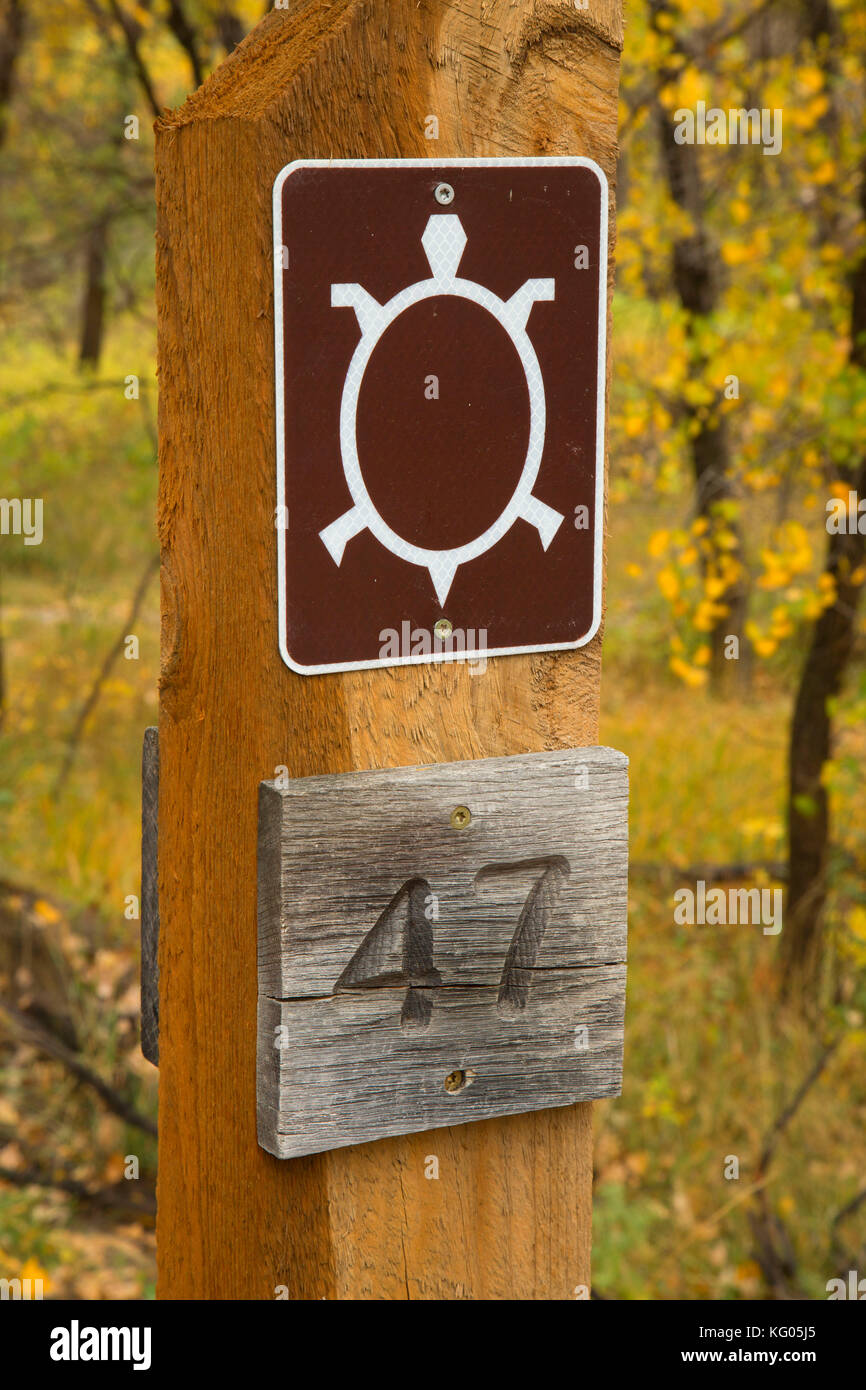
(733, 673)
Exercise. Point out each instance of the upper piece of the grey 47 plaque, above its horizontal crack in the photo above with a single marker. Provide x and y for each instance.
(348, 843)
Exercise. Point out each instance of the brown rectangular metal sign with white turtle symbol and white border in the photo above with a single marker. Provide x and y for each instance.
(440, 408)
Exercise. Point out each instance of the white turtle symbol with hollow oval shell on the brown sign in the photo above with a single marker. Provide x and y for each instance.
(444, 243)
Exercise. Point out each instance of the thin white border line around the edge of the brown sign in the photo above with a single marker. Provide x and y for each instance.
(534, 162)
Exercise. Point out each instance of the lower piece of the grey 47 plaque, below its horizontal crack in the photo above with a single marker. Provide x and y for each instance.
(350, 1074)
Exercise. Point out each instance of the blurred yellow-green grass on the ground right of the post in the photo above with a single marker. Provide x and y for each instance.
(711, 1057)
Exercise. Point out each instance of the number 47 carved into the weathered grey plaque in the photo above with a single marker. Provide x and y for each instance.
(400, 947)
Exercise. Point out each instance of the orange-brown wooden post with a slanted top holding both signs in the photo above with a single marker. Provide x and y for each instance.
(511, 1214)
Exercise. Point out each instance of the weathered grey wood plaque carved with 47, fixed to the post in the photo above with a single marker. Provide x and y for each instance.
(440, 945)
